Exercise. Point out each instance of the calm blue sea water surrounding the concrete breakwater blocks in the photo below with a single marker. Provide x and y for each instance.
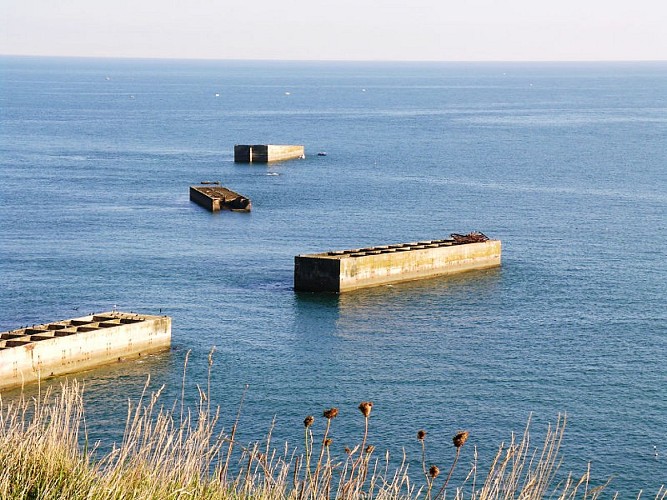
(565, 163)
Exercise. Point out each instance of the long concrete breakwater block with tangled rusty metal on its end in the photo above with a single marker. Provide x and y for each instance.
(344, 270)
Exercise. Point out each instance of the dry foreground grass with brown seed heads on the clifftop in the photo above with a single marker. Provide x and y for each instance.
(178, 452)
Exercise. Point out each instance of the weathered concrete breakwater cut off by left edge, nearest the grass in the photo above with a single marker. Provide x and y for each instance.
(51, 349)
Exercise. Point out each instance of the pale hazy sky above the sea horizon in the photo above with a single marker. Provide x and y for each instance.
(441, 30)
